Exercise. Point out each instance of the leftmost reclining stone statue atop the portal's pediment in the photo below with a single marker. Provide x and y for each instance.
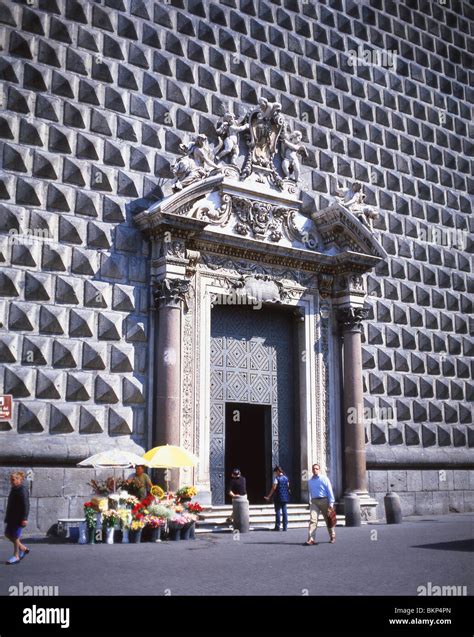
(196, 163)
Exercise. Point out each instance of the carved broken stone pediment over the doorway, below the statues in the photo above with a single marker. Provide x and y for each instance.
(222, 210)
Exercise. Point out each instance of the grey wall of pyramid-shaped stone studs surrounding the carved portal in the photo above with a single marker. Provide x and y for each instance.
(95, 99)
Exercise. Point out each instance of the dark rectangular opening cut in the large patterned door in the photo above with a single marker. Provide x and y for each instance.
(248, 447)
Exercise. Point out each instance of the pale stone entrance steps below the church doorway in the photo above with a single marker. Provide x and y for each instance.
(262, 516)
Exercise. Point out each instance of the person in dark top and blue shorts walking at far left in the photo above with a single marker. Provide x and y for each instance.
(16, 516)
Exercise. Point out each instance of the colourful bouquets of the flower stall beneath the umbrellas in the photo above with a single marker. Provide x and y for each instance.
(112, 516)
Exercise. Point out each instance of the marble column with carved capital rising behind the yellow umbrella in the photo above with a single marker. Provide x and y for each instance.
(169, 297)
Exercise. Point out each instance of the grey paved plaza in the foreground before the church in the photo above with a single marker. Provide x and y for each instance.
(374, 559)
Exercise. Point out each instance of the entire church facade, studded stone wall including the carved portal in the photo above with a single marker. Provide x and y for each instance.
(218, 230)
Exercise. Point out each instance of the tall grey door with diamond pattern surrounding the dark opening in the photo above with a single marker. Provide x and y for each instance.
(251, 362)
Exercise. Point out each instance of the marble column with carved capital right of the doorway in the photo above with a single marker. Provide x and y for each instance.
(355, 470)
